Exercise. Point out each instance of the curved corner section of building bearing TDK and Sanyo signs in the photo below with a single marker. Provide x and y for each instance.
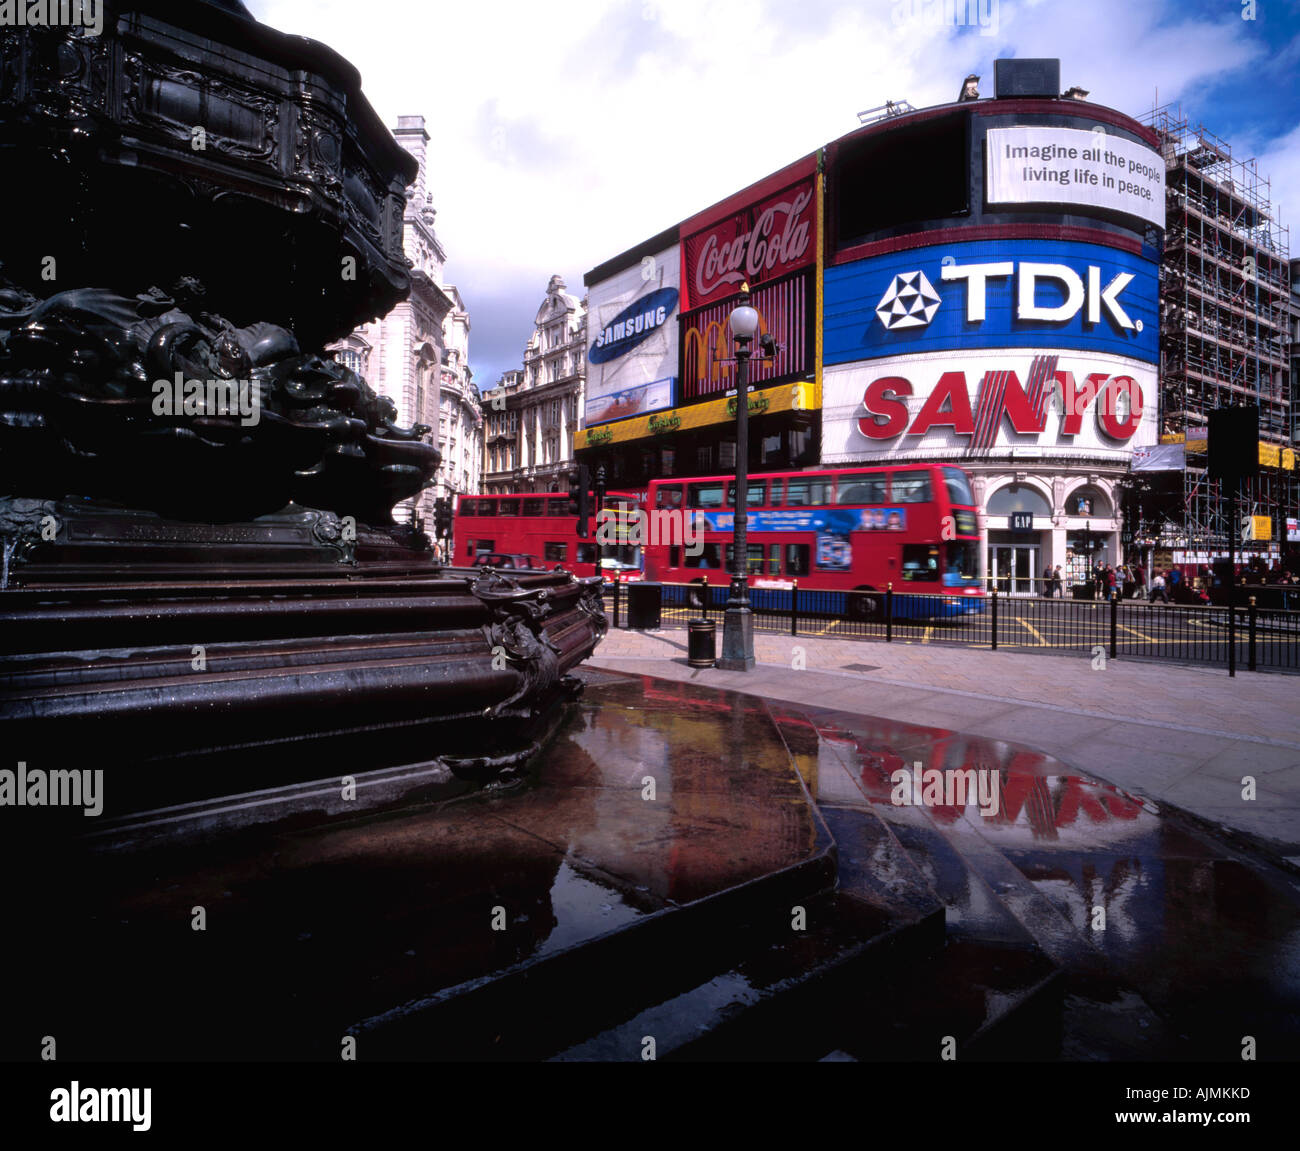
(990, 298)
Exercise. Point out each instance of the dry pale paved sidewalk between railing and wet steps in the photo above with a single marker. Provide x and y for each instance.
(1180, 735)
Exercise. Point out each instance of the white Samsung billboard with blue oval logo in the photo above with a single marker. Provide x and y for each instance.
(632, 328)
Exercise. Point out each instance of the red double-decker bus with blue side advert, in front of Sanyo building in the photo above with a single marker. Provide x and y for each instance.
(843, 530)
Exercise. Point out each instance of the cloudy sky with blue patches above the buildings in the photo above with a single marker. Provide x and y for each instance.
(566, 133)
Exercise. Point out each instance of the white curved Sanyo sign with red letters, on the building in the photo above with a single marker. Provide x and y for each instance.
(989, 404)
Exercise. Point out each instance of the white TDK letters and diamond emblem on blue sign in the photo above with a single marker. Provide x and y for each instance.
(912, 302)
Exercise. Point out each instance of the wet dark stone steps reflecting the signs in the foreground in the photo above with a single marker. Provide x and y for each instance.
(734, 877)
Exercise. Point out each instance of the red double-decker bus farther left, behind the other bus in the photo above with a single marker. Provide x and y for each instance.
(543, 526)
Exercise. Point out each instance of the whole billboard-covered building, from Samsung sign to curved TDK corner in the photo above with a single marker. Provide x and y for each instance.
(974, 283)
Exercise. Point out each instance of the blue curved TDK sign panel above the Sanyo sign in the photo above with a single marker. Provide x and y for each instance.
(1017, 293)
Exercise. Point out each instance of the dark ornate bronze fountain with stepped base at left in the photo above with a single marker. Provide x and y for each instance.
(196, 501)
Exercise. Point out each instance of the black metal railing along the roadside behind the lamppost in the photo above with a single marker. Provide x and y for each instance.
(1106, 628)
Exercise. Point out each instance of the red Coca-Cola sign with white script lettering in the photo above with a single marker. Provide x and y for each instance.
(759, 244)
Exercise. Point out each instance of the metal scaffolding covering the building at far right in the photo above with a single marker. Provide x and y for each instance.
(1225, 327)
